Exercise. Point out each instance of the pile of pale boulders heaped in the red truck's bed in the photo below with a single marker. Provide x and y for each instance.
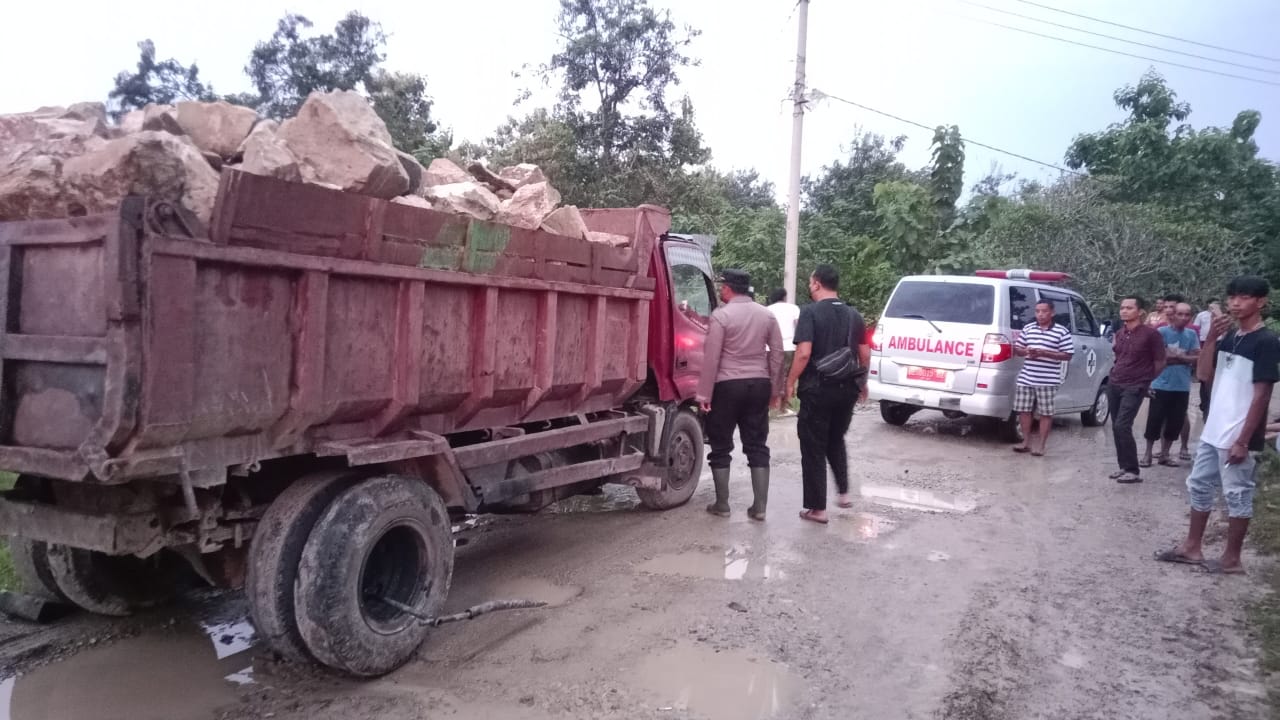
(66, 162)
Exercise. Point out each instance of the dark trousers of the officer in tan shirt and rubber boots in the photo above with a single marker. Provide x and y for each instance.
(743, 405)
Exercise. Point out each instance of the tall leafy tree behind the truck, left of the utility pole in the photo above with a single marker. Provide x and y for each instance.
(614, 139)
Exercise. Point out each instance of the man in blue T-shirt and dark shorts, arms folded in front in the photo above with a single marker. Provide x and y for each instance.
(1172, 391)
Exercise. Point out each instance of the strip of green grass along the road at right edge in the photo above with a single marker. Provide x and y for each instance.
(1265, 536)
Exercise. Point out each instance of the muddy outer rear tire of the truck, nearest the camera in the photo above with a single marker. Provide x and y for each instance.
(387, 537)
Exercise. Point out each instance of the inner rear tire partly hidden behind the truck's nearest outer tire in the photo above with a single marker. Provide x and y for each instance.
(276, 553)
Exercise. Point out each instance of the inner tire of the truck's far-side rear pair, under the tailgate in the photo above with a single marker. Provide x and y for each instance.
(109, 585)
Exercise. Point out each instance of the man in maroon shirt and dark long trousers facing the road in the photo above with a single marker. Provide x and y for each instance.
(1140, 359)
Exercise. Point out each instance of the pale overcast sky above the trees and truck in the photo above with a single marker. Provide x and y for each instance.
(927, 61)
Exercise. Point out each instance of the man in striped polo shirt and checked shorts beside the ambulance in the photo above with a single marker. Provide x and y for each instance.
(1046, 347)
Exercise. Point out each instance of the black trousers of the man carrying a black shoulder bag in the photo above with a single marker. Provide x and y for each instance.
(825, 417)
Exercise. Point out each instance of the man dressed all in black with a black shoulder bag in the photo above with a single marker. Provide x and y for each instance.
(826, 326)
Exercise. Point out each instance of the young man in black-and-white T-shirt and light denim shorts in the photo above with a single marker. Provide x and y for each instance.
(1244, 366)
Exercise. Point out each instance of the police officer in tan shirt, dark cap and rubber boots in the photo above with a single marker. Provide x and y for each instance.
(742, 379)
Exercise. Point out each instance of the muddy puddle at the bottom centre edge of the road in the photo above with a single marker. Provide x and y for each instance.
(719, 686)
